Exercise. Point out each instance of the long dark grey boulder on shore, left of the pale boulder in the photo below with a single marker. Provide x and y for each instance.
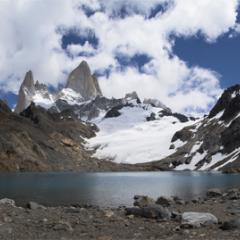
(151, 211)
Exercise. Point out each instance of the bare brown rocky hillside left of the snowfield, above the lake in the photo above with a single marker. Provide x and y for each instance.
(38, 140)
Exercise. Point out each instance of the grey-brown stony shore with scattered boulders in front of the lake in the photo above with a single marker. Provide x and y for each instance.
(217, 216)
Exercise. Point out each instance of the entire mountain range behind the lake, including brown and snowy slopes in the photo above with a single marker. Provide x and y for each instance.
(77, 128)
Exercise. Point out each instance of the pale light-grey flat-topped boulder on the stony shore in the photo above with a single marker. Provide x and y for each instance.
(198, 219)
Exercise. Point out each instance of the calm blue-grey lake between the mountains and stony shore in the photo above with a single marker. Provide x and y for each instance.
(108, 189)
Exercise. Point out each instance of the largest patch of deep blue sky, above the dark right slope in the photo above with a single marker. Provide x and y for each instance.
(222, 56)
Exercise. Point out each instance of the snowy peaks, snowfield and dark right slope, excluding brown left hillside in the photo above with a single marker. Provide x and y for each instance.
(145, 132)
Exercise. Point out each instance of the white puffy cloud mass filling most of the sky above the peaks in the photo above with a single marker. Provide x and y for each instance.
(31, 38)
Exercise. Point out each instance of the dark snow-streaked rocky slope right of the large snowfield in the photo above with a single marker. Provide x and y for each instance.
(213, 142)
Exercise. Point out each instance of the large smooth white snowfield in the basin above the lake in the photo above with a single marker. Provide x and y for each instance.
(131, 139)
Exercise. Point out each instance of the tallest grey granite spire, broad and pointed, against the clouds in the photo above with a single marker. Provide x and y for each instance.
(82, 81)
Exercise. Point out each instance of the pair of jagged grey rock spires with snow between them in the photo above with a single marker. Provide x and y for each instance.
(81, 84)
